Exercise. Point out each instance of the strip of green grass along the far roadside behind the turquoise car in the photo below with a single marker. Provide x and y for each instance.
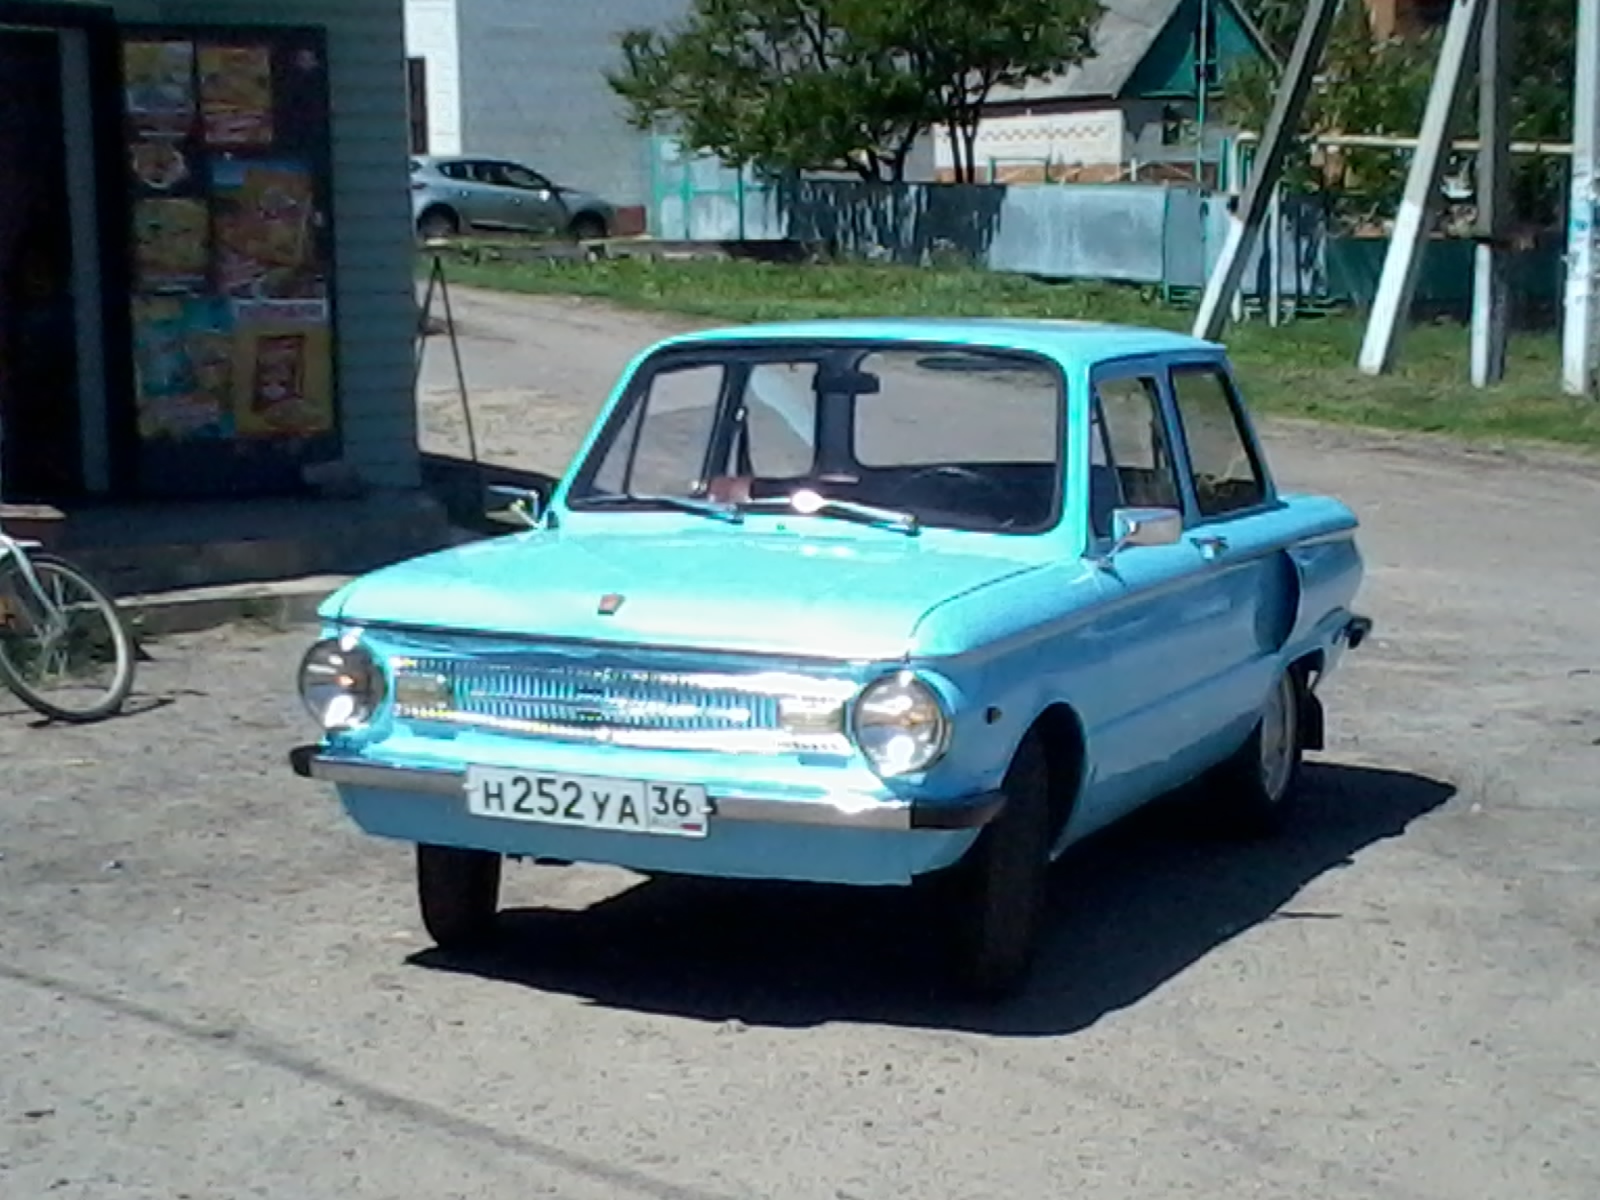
(1300, 370)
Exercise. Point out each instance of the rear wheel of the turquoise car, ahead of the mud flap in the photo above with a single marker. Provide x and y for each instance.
(1254, 793)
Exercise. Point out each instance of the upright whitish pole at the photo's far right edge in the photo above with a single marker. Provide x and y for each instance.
(1578, 334)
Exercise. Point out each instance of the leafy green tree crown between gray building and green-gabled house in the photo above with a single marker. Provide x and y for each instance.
(841, 86)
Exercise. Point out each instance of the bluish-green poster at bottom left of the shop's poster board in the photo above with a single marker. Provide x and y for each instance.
(185, 362)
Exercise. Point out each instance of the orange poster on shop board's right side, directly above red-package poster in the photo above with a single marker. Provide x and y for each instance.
(266, 228)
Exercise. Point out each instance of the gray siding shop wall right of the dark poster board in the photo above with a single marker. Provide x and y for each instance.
(375, 255)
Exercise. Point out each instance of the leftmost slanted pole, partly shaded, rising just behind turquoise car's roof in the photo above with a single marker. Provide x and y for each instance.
(1287, 108)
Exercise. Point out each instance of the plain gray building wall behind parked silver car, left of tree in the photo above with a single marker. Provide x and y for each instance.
(534, 89)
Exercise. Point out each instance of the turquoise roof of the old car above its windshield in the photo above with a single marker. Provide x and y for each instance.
(1066, 340)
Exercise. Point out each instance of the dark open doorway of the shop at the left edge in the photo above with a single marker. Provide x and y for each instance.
(41, 450)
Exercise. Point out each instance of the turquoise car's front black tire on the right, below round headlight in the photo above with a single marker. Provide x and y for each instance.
(999, 889)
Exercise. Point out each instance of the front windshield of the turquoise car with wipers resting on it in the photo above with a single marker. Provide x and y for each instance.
(882, 434)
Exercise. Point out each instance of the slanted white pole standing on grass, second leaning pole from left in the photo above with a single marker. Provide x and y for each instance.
(1398, 286)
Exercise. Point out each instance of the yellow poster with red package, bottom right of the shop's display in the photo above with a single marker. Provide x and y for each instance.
(284, 380)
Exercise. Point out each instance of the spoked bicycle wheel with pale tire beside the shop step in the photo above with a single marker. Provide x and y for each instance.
(73, 658)
